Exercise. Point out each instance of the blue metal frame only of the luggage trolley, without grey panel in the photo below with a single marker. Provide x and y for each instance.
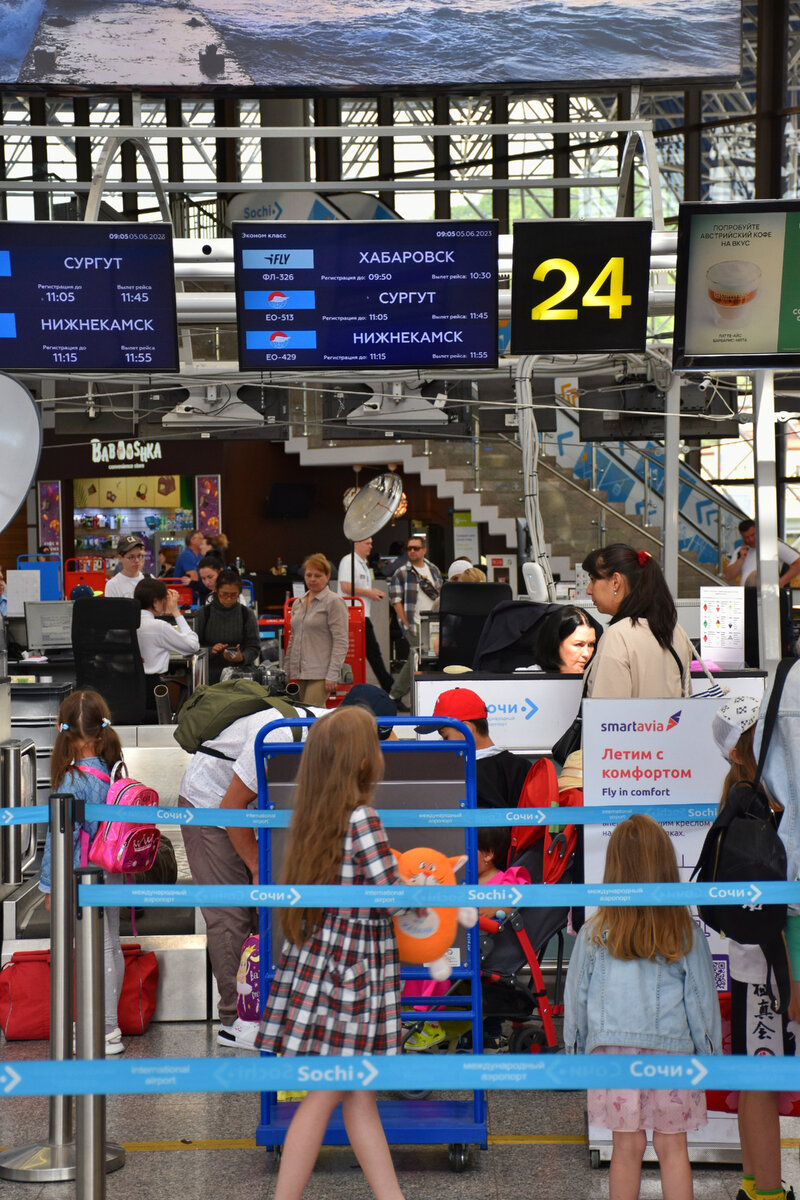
(456, 1124)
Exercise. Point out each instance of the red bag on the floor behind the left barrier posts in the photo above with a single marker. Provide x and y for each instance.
(26, 994)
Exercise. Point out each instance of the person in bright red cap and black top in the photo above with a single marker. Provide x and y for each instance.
(500, 775)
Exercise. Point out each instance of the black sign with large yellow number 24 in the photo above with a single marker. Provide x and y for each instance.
(580, 286)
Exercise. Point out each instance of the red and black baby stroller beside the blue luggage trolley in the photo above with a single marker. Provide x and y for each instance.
(518, 941)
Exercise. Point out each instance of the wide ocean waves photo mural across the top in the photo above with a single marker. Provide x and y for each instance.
(364, 45)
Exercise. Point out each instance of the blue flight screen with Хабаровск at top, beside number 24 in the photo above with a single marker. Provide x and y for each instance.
(366, 295)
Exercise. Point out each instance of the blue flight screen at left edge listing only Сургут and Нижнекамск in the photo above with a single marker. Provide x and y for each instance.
(87, 297)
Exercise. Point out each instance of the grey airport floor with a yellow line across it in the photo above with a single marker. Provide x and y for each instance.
(183, 1148)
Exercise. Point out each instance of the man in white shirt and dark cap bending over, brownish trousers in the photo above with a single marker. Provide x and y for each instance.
(225, 776)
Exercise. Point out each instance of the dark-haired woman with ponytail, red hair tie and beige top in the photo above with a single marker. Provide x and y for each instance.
(645, 652)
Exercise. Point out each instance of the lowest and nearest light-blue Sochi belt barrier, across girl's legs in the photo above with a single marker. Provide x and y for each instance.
(399, 1073)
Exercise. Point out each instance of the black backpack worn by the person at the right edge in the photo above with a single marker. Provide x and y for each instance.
(743, 847)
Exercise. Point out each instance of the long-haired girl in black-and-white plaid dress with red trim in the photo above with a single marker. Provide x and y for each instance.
(336, 989)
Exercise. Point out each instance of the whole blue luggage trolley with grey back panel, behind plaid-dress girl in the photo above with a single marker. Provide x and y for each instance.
(418, 775)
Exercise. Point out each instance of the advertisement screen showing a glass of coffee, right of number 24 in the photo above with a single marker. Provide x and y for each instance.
(738, 286)
